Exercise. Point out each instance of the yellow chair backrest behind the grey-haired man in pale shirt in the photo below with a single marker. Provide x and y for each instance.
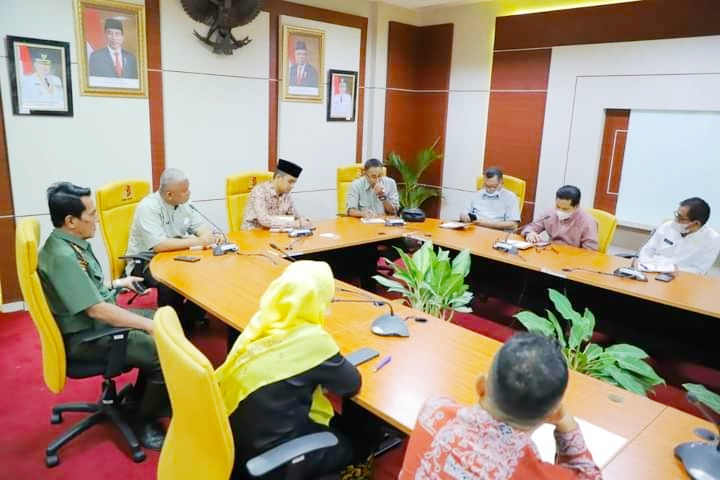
(116, 204)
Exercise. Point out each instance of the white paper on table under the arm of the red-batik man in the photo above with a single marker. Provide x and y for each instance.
(602, 444)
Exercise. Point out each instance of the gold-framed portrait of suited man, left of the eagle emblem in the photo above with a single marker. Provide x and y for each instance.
(111, 48)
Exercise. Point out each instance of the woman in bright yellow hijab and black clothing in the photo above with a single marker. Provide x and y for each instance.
(273, 379)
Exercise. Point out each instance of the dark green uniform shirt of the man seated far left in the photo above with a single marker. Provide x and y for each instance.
(72, 280)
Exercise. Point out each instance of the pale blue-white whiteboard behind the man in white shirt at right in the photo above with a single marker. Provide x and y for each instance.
(669, 156)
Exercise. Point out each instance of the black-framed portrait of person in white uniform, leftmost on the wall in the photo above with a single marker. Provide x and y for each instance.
(39, 76)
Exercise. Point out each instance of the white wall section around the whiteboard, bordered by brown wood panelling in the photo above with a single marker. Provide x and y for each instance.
(677, 74)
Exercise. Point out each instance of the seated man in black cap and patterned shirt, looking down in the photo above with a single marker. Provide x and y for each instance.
(270, 204)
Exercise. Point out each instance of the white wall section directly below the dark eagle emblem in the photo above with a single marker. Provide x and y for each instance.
(215, 106)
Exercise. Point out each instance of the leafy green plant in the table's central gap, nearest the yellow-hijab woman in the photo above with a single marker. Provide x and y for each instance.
(431, 282)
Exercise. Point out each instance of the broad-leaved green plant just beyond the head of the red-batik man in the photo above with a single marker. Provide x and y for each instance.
(622, 365)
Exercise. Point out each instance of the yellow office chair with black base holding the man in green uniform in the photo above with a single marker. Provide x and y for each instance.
(56, 367)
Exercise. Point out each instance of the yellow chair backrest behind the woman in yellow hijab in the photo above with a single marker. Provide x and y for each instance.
(199, 443)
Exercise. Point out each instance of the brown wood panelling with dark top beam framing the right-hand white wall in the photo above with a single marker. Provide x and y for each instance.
(521, 65)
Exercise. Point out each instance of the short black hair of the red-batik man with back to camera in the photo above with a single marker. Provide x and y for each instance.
(529, 376)
